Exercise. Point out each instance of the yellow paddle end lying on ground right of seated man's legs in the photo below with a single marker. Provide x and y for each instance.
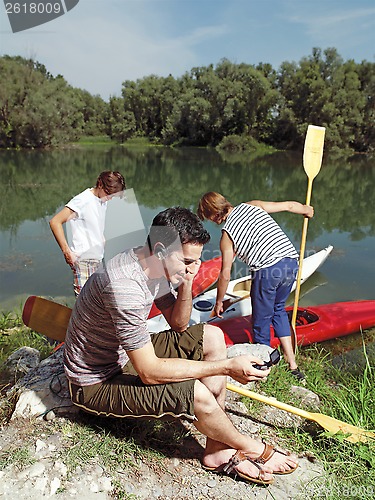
(355, 434)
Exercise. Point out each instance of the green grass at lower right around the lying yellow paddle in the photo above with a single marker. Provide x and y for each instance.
(346, 396)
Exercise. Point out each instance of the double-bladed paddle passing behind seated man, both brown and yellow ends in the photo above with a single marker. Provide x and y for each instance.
(51, 319)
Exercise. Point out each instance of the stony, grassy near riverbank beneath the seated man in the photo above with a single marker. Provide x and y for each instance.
(77, 455)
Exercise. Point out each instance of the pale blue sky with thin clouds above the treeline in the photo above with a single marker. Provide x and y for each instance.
(99, 44)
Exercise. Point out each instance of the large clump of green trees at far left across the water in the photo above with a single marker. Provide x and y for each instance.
(38, 110)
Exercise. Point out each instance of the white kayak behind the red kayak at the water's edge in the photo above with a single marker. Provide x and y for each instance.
(236, 302)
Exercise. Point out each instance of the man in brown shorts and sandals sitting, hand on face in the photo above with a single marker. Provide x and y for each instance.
(115, 367)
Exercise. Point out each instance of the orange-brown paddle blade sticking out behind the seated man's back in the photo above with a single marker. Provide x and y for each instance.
(46, 317)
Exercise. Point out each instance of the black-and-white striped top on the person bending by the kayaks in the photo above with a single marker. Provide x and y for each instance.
(257, 239)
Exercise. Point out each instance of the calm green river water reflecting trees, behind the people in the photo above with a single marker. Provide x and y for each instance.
(35, 185)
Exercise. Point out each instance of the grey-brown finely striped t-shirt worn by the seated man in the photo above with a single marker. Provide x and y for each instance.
(109, 318)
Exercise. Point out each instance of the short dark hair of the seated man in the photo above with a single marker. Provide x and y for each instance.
(179, 225)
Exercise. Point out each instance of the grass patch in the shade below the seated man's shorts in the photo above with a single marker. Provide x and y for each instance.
(118, 447)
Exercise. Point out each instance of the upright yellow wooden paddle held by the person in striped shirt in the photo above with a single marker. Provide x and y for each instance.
(312, 161)
